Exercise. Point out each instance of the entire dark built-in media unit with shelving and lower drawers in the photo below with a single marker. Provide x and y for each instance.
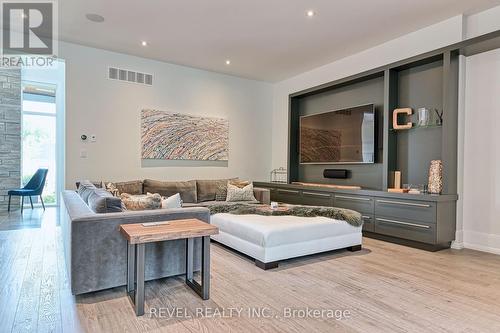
(429, 80)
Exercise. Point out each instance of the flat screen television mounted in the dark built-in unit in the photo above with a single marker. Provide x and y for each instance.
(345, 136)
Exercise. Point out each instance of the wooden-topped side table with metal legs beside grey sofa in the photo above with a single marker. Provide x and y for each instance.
(138, 235)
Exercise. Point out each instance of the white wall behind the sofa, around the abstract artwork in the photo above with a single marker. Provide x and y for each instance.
(111, 110)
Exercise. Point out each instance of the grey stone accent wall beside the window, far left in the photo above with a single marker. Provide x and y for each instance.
(10, 135)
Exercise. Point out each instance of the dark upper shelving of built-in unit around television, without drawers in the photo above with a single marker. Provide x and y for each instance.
(430, 82)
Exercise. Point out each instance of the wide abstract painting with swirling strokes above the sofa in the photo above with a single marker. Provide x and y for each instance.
(175, 136)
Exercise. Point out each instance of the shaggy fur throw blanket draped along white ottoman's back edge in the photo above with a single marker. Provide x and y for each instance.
(347, 215)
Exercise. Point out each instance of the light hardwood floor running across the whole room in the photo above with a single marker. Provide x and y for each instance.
(385, 288)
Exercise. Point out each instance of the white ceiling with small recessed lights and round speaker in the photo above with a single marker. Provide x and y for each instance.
(268, 40)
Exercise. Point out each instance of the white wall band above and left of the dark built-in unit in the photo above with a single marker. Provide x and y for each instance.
(421, 41)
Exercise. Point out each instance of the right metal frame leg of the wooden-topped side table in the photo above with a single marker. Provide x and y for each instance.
(202, 289)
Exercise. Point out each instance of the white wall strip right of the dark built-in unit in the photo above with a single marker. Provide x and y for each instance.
(481, 186)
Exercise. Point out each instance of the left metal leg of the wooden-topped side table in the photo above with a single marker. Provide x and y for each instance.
(135, 276)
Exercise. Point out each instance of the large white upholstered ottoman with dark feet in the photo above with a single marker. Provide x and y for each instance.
(269, 239)
